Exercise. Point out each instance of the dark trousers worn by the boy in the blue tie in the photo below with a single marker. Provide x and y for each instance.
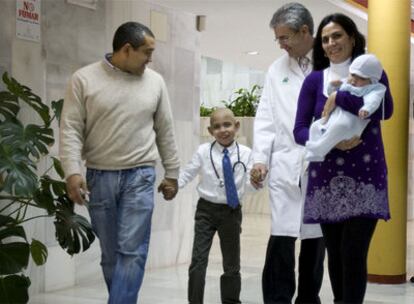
(209, 218)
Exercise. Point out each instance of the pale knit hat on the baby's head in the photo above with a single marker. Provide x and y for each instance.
(367, 66)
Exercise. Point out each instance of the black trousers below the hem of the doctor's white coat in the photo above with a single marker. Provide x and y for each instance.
(278, 280)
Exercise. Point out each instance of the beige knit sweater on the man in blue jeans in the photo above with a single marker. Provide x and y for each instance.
(115, 120)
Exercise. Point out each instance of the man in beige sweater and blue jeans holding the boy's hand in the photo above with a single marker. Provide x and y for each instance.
(117, 117)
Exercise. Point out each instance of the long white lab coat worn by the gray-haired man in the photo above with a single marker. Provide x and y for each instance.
(275, 146)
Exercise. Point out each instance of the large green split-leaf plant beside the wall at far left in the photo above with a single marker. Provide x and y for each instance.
(22, 187)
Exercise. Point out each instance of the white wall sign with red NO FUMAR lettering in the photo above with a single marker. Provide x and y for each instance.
(28, 19)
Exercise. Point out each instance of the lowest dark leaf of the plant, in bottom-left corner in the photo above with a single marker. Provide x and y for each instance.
(14, 289)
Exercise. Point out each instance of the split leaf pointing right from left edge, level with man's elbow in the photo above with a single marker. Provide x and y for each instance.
(32, 138)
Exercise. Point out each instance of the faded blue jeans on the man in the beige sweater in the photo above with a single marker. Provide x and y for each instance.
(120, 207)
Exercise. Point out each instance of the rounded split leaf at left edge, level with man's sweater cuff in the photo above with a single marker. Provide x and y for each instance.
(20, 178)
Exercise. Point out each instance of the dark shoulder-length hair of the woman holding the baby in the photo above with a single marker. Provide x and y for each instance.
(320, 61)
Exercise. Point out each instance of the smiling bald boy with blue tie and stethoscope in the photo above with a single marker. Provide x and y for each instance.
(223, 166)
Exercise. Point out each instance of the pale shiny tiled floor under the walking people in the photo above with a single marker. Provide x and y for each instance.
(168, 285)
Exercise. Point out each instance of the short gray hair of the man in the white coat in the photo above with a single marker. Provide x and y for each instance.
(294, 15)
